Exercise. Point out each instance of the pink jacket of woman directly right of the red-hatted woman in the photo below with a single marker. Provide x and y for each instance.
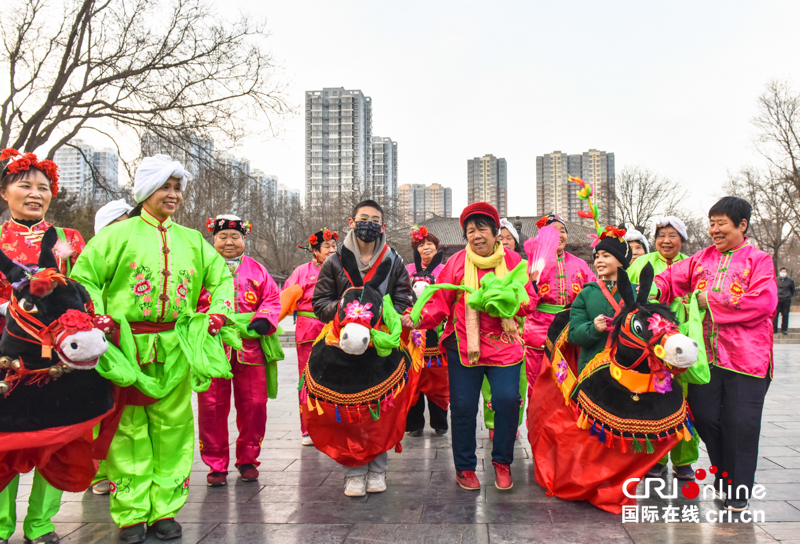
(558, 287)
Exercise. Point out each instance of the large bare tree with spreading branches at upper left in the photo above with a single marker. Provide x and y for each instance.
(168, 68)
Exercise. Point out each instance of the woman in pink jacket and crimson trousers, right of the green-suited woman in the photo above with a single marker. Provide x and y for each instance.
(256, 292)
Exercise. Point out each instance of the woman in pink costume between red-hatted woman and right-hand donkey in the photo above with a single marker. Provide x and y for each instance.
(556, 288)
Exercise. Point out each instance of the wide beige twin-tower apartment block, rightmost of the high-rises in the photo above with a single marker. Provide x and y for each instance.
(555, 193)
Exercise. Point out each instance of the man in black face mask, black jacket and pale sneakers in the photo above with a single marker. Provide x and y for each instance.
(367, 241)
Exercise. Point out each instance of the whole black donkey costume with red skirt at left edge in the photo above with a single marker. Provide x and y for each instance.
(51, 396)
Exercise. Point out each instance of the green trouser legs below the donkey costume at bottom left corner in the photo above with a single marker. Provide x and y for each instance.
(43, 504)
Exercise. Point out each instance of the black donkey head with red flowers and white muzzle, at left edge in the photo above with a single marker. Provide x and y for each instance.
(48, 330)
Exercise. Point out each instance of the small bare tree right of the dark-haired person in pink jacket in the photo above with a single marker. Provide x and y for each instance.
(769, 193)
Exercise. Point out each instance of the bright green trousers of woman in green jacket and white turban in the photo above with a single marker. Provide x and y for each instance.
(150, 459)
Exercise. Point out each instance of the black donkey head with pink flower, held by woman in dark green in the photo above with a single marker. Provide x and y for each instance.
(646, 337)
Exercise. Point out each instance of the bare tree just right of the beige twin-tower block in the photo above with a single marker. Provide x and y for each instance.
(641, 194)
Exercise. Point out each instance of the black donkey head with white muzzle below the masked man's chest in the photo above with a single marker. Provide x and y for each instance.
(361, 306)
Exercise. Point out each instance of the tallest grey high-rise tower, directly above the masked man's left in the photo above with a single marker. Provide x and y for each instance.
(338, 143)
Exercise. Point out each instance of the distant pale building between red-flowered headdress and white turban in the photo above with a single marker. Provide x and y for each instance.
(91, 175)
